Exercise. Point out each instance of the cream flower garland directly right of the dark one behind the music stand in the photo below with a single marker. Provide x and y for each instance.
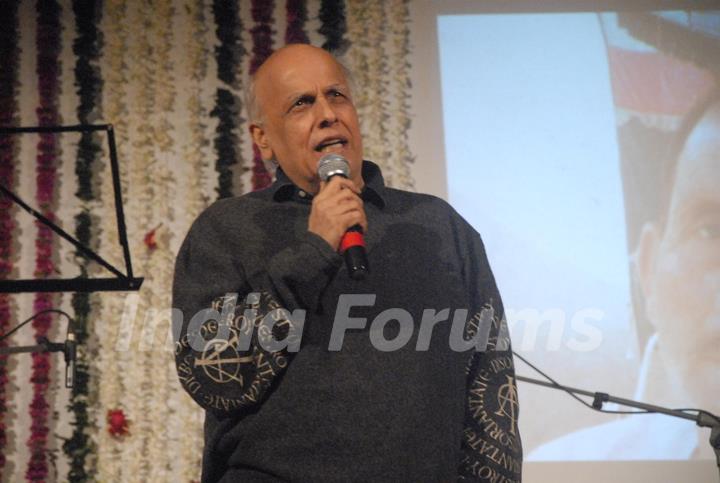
(114, 95)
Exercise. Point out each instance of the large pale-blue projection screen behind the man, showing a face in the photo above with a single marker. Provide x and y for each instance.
(585, 148)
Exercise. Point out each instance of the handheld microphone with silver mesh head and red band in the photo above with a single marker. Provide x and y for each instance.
(352, 244)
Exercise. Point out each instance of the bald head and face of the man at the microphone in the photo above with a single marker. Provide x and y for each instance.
(306, 111)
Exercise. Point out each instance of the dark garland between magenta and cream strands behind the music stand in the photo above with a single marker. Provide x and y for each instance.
(87, 79)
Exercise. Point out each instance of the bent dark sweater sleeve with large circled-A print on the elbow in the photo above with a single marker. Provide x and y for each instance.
(238, 324)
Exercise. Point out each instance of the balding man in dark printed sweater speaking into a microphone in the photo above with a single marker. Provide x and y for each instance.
(311, 371)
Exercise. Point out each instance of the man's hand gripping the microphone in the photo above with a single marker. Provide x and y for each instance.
(336, 208)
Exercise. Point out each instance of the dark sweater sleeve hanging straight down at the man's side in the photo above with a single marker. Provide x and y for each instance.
(491, 448)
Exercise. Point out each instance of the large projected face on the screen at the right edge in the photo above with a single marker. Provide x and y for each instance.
(680, 267)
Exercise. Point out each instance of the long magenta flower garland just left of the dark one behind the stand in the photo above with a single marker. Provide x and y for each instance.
(48, 70)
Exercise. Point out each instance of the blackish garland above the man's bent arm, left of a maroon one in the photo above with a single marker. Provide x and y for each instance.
(227, 105)
